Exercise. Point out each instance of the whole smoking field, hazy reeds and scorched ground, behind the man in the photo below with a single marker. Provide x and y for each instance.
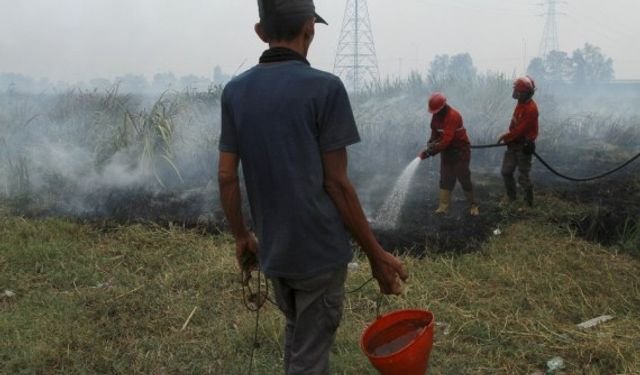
(116, 158)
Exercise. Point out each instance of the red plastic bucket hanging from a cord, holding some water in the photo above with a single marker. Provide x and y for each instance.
(399, 343)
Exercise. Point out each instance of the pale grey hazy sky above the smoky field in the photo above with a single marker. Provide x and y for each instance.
(82, 39)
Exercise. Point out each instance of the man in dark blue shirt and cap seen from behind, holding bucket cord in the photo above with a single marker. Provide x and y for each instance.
(289, 125)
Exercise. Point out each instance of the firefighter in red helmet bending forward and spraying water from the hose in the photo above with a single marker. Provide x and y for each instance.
(449, 137)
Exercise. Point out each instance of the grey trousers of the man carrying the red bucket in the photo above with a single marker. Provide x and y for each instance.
(313, 310)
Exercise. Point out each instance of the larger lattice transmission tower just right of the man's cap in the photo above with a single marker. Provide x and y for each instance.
(356, 62)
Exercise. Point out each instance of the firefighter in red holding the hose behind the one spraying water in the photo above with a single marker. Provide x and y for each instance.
(520, 140)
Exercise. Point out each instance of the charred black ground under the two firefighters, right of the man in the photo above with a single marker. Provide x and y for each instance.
(606, 211)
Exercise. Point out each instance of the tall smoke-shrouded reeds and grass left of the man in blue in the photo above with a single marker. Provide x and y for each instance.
(57, 151)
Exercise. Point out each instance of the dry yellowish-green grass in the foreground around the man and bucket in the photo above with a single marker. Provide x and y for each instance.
(116, 299)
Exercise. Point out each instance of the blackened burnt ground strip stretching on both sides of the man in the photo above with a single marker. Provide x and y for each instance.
(604, 211)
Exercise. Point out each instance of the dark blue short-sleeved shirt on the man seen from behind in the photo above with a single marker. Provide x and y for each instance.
(279, 118)
